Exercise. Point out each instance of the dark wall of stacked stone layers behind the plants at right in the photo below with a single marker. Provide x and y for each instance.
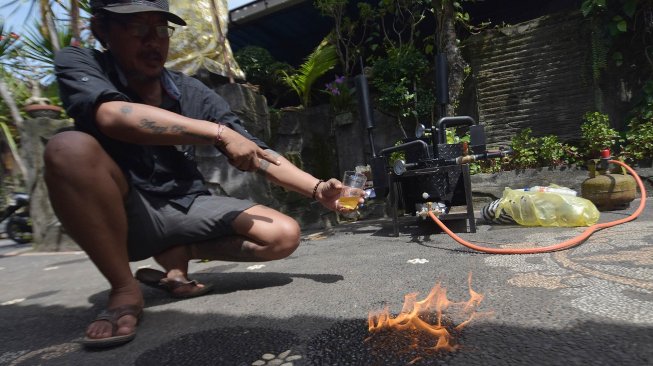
(535, 74)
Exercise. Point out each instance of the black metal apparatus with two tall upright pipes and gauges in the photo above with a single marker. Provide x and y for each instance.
(434, 171)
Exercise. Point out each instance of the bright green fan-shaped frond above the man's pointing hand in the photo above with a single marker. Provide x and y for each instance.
(321, 60)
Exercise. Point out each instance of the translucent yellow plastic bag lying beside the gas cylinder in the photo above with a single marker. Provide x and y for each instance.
(547, 209)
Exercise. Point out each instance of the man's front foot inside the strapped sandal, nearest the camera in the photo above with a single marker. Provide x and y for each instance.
(125, 324)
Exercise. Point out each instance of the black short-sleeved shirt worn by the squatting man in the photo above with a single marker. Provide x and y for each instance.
(88, 77)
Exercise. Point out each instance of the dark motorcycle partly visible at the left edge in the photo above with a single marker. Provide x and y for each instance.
(18, 226)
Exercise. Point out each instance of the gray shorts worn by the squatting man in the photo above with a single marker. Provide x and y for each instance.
(155, 225)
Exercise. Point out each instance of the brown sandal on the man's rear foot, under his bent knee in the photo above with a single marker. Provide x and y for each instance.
(178, 287)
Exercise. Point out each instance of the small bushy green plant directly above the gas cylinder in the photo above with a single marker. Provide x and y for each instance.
(597, 134)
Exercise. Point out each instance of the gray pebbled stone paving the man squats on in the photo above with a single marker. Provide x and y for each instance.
(588, 305)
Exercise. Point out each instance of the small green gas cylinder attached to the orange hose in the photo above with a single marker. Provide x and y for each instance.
(608, 189)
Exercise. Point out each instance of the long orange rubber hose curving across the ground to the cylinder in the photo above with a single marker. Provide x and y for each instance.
(560, 246)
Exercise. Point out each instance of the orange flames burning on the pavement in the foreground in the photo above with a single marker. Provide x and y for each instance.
(422, 325)
